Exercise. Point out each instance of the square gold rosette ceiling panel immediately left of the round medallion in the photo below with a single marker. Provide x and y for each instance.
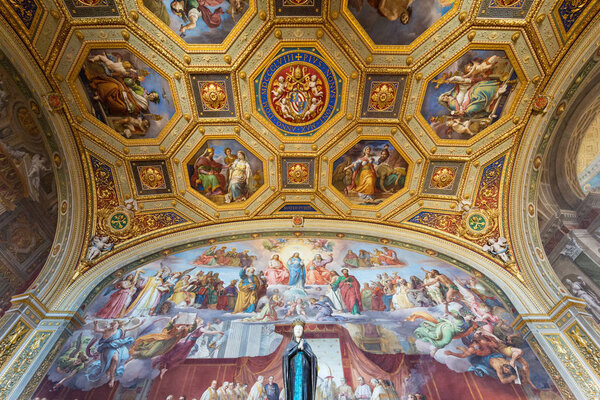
(214, 95)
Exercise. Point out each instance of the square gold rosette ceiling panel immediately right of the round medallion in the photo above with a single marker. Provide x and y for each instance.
(382, 96)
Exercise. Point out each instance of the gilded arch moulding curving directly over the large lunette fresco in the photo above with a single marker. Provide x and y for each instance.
(88, 287)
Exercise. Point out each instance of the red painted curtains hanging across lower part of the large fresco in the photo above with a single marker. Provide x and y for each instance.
(191, 378)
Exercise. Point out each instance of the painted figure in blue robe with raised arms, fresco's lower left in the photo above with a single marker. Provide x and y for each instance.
(113, 347)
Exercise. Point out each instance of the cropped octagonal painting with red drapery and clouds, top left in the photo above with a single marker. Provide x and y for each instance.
(198, 22)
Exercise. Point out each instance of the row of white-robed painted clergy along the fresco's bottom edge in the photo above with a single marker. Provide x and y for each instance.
(327, 389)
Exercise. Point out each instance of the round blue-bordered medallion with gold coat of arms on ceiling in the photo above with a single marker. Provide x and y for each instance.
(298, 92)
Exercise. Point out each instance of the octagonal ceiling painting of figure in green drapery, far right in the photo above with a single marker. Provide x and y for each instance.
(470, 94)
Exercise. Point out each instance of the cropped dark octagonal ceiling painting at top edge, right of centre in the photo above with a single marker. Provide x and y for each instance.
(396, 23)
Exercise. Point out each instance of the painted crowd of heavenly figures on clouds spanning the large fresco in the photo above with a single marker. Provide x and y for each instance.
(469, 311)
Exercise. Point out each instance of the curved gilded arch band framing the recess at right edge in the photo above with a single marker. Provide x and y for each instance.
(533, 151)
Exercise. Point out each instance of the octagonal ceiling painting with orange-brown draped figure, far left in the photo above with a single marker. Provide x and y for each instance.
(121, 90)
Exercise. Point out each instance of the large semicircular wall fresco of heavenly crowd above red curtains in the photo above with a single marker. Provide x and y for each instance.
(220, 312)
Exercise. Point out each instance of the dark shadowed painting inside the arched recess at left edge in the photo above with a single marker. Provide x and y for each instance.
(28, 199)
